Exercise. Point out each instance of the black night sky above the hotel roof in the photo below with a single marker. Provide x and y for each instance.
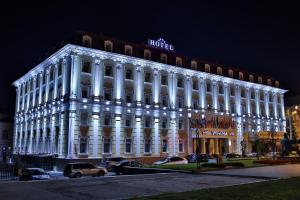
(255, 36)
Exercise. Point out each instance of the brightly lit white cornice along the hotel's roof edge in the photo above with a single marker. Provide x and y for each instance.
(66, 50)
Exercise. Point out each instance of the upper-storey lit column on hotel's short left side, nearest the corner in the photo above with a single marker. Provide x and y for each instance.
(65, 77)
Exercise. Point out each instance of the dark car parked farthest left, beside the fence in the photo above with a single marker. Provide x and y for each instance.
(28, 174)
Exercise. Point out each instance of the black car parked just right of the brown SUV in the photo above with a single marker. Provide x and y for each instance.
(128, 167)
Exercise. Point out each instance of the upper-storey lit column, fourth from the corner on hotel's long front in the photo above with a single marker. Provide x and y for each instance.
(139, 84)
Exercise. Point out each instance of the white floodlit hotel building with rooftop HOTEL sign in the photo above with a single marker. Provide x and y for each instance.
(100, 97)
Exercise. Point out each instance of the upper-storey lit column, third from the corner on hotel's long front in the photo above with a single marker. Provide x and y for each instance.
(118, 82)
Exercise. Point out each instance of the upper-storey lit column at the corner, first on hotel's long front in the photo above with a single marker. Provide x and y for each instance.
(76, 66)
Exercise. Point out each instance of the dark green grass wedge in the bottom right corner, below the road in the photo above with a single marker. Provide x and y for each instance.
(284, 189)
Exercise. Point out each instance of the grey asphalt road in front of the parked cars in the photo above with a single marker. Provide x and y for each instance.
(114, 187)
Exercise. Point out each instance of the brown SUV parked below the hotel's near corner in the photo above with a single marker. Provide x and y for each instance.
(77, 170)
